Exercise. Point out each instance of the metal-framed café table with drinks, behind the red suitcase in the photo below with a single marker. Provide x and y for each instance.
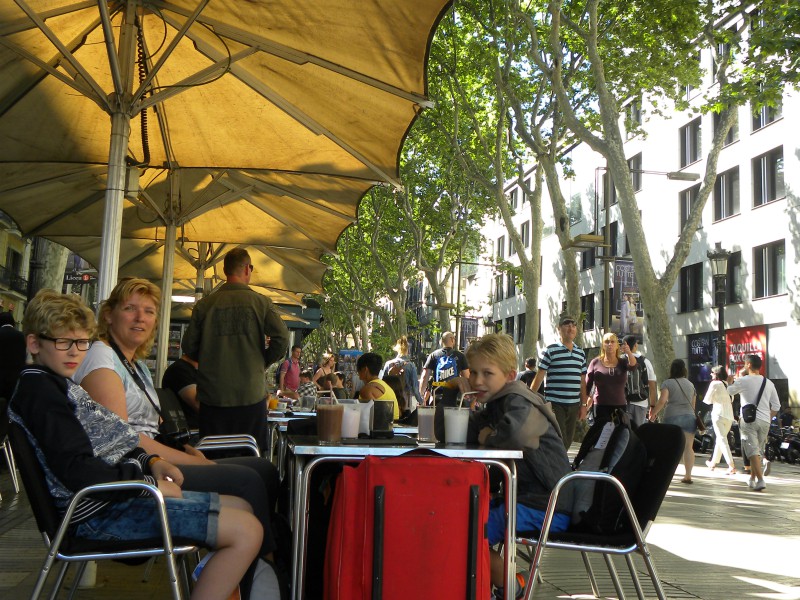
(306, 453)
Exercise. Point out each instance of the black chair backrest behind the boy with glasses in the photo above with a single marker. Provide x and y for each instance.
(33, 478)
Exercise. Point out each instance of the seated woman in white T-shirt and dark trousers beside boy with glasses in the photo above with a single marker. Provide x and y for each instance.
(114, 375)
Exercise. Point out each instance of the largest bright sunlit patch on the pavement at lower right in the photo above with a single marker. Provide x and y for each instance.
(769, 554)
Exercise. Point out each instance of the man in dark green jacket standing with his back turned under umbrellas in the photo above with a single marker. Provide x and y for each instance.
(227, 336)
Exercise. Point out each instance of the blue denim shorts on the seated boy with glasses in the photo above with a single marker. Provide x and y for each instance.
(193, 518)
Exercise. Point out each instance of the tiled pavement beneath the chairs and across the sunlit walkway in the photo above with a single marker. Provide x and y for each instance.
(714, 540)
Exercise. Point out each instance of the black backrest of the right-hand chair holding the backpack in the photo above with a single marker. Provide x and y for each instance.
(664, 445)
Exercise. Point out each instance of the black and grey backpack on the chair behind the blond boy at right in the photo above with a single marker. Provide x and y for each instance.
(610, 446)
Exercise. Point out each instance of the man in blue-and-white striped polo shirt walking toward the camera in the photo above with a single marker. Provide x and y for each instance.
(564, 364)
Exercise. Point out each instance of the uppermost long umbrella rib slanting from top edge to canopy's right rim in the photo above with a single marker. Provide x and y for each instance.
(299, 57)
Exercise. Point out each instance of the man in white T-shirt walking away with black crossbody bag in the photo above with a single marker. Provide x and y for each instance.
(759, 403)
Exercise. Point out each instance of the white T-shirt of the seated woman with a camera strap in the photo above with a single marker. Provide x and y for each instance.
(141, 414)
